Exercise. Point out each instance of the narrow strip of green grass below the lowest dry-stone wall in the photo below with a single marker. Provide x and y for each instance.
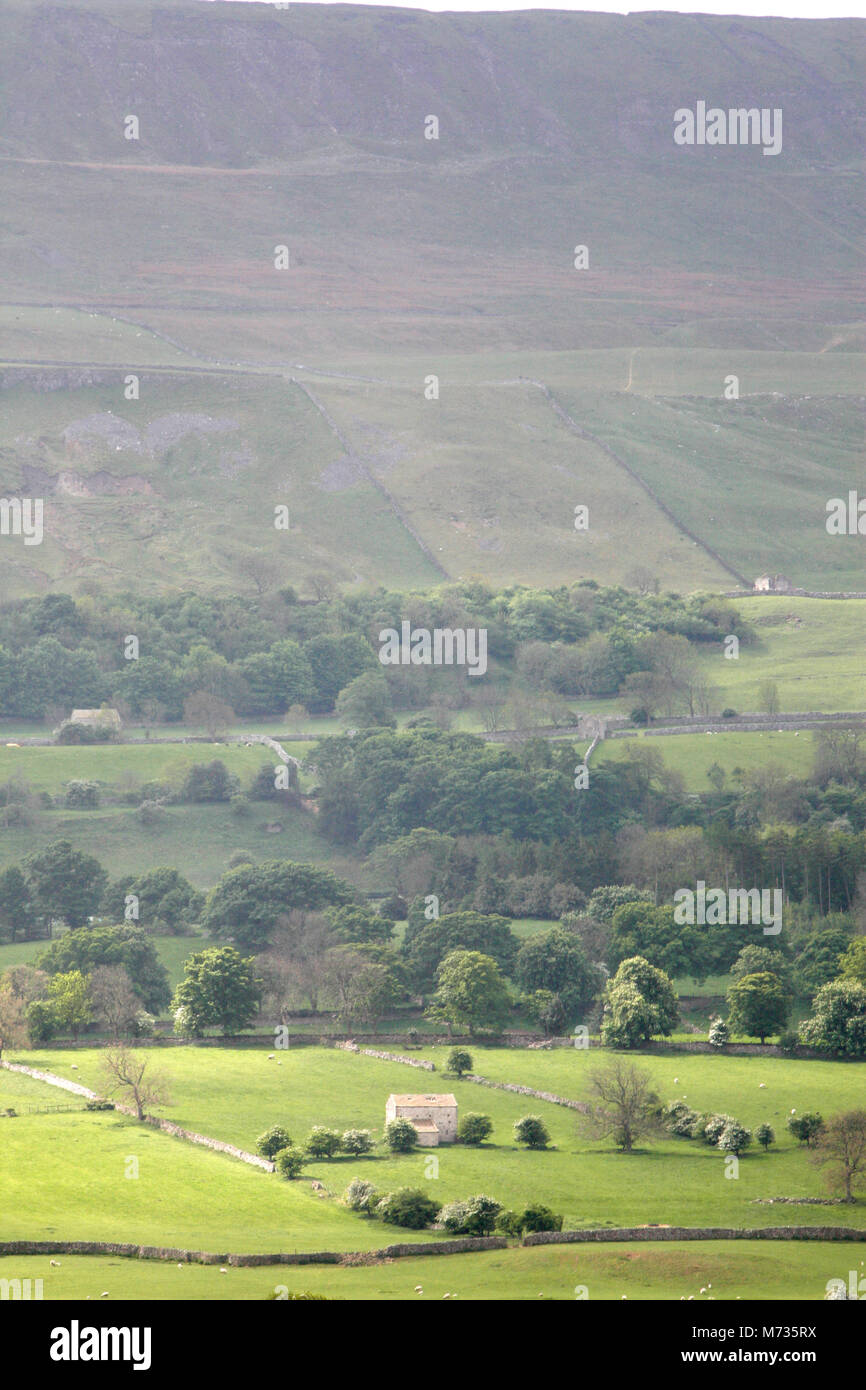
(637, 1271)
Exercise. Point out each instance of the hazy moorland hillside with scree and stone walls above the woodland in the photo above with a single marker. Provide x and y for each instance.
(415, 258)
